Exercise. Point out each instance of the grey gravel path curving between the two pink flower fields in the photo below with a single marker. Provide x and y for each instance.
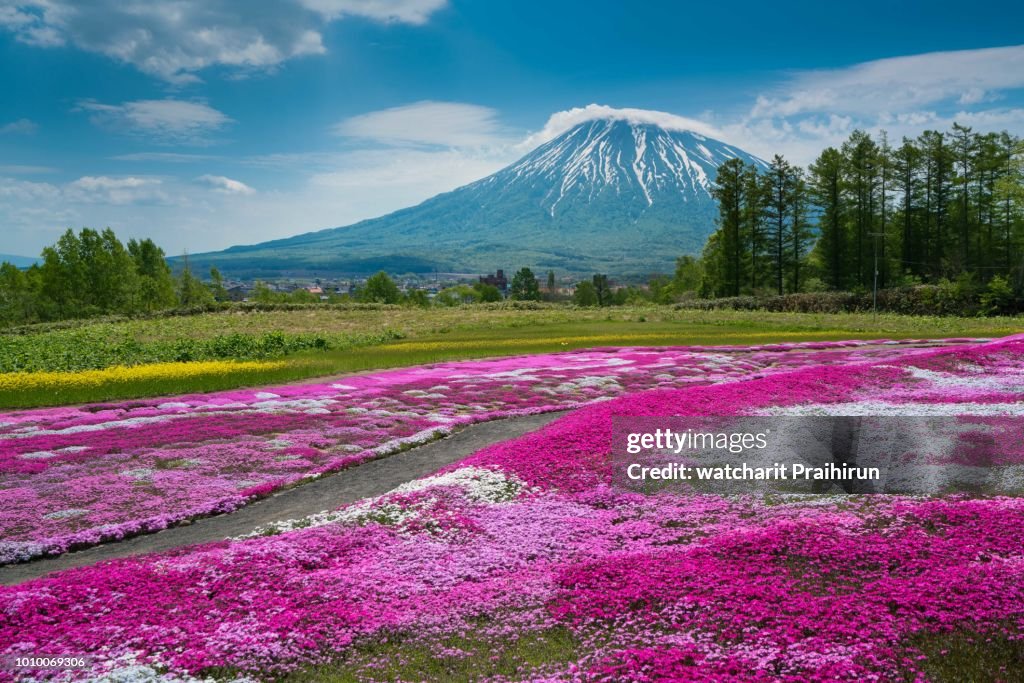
(372, 479)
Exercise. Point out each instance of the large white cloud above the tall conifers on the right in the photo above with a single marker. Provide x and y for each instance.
(902, 96)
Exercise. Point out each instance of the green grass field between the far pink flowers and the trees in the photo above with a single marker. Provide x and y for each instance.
(362, 339)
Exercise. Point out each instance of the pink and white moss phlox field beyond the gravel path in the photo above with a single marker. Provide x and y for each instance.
(75, 477)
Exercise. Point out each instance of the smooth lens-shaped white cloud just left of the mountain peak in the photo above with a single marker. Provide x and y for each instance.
(448, 124)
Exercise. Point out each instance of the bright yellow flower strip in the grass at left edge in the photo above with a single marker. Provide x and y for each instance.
(122, 375)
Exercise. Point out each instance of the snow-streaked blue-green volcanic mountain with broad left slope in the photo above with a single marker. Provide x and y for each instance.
(610, 195)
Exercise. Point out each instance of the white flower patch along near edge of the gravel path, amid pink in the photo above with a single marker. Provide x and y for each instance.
(479, 485)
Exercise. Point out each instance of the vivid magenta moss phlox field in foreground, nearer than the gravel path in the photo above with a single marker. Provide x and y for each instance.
(528, 535)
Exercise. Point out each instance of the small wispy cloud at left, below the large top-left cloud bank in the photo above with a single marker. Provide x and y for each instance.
(164, 120)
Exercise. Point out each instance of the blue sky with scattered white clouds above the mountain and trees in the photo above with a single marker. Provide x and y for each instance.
(207, 123)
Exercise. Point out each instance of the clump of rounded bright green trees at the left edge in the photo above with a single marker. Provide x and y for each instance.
(93, 274)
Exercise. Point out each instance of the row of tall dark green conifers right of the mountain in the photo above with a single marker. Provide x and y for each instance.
(944, 206)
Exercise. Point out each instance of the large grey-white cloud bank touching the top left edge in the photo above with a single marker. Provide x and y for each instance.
(176, 40)
